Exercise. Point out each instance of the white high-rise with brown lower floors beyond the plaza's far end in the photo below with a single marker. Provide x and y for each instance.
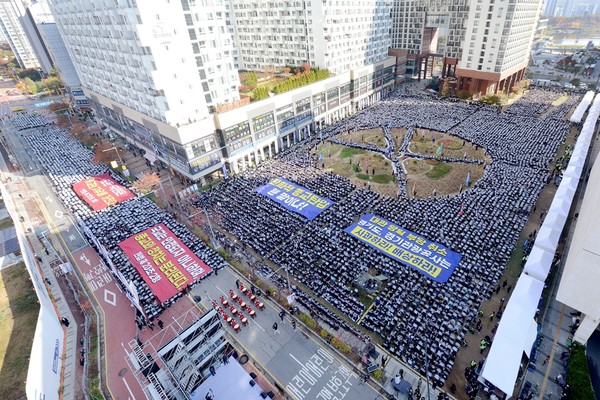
(484, 45)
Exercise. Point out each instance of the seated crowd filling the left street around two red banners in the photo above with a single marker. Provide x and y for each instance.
(67, 162)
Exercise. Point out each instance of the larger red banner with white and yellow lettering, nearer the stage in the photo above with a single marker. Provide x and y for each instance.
(166, 264)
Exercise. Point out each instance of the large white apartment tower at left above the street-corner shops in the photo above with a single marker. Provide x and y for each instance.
(157, 68)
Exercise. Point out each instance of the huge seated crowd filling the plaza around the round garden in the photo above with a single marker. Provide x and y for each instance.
(419, 319)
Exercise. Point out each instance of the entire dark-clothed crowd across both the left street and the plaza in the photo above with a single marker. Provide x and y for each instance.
(421, 321)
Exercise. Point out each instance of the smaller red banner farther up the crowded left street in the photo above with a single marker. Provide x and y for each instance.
(101, 191)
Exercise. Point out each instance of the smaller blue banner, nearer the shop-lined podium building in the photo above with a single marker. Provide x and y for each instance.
(295, 198)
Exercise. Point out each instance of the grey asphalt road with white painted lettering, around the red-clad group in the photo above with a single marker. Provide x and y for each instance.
(303, 367)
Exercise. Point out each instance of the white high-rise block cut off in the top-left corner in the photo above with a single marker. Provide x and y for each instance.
(11, 11)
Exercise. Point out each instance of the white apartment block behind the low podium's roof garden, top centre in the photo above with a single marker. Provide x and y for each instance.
(337, 35)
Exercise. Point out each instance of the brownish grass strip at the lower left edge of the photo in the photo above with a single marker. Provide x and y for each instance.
(18, 317)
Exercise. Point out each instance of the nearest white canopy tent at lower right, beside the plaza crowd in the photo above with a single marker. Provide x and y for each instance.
(514, 335)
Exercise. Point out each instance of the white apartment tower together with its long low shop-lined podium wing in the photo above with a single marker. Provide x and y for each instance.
(157, 72)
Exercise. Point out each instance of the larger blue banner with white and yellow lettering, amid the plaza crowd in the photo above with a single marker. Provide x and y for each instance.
(431, 259)
